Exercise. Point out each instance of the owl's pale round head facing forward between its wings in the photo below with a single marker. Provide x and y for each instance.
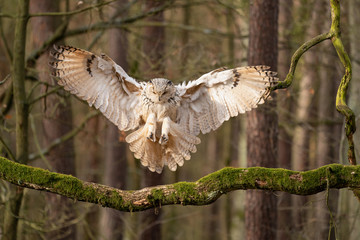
(160, 90)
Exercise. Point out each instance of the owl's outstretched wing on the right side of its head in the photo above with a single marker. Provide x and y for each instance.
(216, 96)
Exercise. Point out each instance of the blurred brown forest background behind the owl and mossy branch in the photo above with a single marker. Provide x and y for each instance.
(179, 40)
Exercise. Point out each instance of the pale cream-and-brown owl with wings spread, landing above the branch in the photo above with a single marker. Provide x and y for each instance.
(166, 117)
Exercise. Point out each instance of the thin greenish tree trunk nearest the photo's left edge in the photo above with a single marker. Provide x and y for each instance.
(12, 212)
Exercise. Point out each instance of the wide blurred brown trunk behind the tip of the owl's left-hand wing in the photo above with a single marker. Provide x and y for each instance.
(57, 121)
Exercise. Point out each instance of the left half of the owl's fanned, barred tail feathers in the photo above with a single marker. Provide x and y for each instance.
(147, 151)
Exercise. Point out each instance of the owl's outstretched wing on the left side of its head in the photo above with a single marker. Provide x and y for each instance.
(99, 81)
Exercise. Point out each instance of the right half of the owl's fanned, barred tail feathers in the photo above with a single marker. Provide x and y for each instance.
(179, 146)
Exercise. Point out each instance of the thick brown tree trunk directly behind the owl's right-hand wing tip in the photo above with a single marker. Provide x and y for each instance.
(261, 208)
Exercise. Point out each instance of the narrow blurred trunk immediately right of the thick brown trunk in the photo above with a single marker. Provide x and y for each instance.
(285, 111)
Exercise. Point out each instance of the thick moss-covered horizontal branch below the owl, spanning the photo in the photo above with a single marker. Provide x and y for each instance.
(202, 192)
